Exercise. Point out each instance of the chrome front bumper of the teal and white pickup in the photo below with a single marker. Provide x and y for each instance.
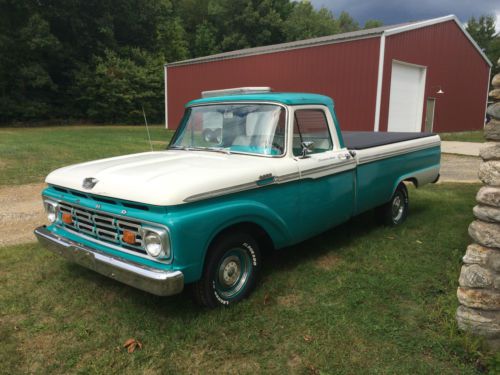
(152, 280)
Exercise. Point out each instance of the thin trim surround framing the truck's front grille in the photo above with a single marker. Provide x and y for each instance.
(107, 244)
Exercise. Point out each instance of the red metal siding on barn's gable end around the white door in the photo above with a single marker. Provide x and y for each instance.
(453, 63)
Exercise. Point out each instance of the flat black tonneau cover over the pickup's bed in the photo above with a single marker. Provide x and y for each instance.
(362, 140)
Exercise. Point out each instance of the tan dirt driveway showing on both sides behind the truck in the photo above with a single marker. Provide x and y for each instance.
(22, 209)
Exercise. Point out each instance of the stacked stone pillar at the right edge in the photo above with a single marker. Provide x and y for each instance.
(479, 290)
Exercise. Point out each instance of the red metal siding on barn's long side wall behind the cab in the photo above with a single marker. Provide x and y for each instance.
(347, 72)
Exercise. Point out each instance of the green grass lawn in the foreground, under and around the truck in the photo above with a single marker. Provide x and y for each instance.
(360, 298)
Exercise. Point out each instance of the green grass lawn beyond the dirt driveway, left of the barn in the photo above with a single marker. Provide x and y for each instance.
(38, 151)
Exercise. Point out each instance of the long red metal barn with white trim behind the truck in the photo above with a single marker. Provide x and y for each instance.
(427, 75)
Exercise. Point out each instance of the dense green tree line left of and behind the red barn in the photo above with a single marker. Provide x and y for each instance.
(101, 60)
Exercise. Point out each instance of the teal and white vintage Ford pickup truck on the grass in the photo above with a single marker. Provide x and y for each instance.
(247, 170)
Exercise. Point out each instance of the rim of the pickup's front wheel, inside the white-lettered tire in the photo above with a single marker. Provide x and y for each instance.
(233, 273)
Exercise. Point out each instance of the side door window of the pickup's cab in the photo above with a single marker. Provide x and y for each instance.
(310, 125)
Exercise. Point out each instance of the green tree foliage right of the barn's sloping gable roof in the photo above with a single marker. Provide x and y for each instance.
(483, 32)
